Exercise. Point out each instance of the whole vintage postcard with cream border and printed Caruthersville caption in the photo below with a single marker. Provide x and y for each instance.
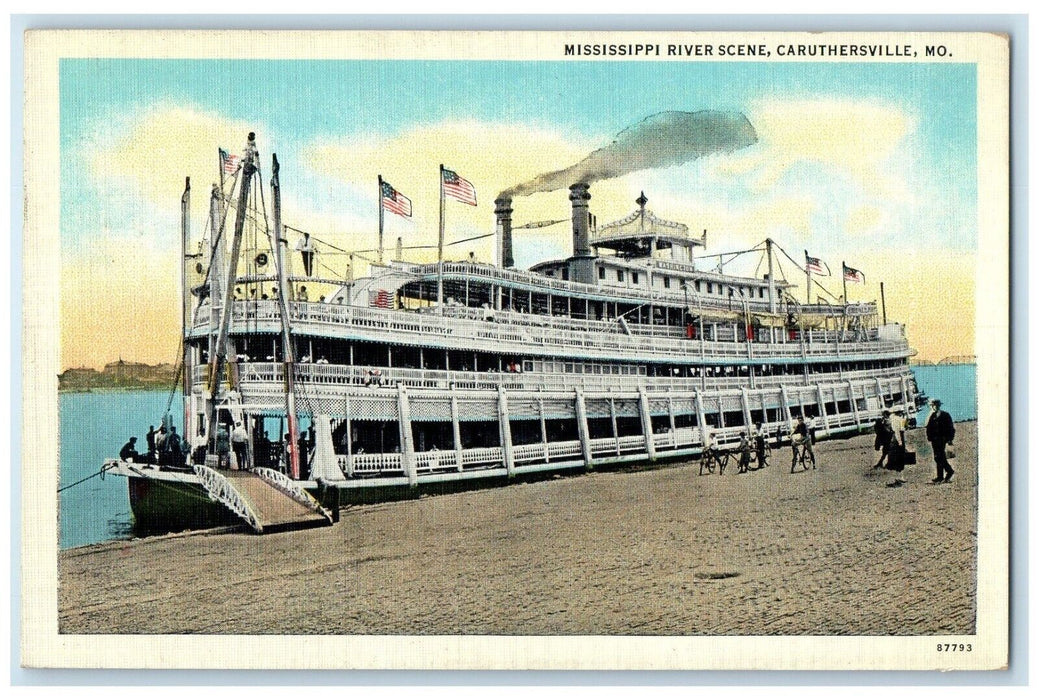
(516, 351)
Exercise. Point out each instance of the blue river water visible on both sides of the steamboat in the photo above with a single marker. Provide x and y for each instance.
(96, 425)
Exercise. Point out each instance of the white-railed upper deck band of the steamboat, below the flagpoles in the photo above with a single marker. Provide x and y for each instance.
(488, 331)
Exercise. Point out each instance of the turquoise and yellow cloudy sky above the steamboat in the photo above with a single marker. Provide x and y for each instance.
(870, 165)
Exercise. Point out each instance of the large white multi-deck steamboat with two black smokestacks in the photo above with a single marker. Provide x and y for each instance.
(300, 388)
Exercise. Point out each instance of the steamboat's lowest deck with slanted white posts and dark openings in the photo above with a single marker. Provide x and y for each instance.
(376, 435)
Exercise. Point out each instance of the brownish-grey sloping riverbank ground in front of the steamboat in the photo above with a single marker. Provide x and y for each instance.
(652, 552)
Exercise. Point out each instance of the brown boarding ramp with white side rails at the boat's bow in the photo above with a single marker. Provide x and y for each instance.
(264, 499)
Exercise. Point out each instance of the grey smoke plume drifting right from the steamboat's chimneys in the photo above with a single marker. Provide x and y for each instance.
(660, 141)
